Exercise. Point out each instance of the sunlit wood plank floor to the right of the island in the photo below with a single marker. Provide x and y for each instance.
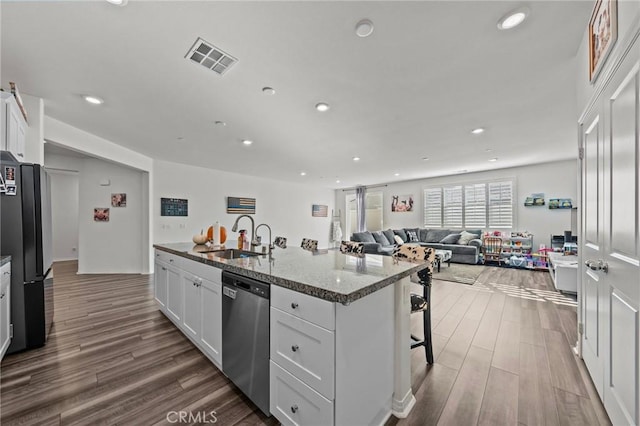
(503, 356)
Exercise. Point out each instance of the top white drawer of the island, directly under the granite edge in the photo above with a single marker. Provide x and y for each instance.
(318, 311)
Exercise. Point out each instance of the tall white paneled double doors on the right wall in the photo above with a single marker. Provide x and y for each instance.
(611, 244)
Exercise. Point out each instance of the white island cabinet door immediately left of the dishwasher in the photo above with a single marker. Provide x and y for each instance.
(211, 309)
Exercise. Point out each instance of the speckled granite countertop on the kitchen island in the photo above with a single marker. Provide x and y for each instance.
(326, 274)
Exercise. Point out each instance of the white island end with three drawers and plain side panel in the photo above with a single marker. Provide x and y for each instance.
(331, 363)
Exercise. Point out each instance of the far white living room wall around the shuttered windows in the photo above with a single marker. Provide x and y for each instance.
(555, 180)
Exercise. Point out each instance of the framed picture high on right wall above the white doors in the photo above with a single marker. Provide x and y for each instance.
(603, 33)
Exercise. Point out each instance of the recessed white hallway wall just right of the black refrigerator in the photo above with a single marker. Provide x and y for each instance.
(64, 212)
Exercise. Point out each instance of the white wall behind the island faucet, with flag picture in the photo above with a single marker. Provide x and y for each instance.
(286, 207)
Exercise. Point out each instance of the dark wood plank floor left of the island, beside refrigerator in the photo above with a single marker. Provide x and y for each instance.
(113, 358)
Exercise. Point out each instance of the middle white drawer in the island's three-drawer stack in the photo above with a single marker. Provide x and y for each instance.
(304, 349)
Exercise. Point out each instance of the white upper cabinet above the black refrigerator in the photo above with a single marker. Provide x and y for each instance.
(13, 127)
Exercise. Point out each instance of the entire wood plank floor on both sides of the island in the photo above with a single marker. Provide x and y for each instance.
(502, 347)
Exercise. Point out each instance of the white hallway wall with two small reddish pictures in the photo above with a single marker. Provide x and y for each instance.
(117, 246)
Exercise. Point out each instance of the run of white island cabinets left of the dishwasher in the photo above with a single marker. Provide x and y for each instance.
(190, 294)
